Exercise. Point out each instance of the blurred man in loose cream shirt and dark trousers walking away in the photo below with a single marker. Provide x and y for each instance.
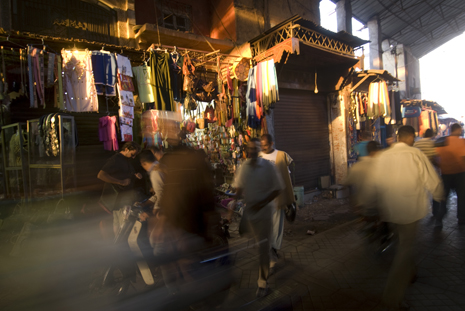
(401, 181)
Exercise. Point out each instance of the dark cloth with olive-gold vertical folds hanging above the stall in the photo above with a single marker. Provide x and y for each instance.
(161, 82)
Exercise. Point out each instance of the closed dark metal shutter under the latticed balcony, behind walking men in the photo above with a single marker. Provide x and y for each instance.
(301, 130)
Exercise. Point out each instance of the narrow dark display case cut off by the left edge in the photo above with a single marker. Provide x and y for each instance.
(15, 160)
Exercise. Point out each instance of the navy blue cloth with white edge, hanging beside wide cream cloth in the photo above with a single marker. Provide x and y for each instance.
(104, 65)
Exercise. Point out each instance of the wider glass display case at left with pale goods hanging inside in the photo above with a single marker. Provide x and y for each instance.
(52, 151)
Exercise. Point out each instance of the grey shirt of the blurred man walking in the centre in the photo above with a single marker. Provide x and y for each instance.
(257, 182)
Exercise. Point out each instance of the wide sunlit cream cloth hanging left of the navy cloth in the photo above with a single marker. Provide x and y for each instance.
(78, 80)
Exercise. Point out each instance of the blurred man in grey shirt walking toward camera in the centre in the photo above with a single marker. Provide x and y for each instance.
(259, 183)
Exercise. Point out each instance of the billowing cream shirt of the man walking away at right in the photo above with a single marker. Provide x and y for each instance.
(401, 180)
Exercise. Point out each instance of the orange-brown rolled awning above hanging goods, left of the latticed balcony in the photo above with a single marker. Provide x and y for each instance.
(147, 35)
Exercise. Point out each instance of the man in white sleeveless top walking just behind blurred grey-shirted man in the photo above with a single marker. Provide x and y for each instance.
(282, 161)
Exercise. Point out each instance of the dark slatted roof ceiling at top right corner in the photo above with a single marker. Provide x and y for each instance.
(423, 25)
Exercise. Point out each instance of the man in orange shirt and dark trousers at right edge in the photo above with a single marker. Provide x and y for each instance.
(452, 164)
